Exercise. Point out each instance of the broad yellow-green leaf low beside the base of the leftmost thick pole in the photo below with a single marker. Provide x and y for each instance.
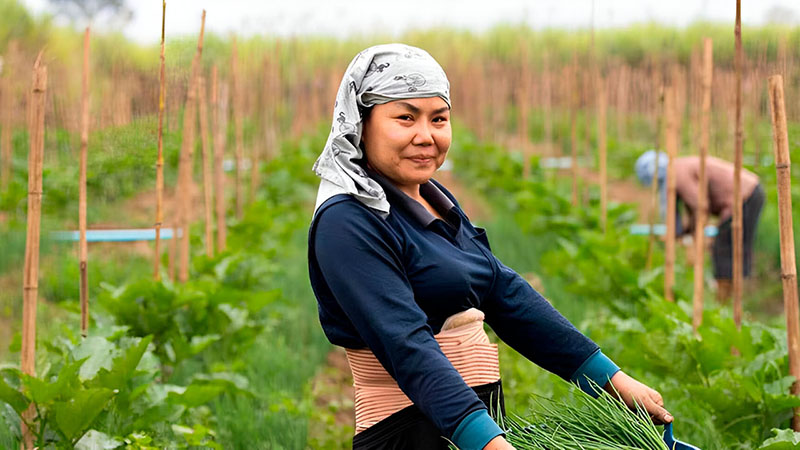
(75, 415)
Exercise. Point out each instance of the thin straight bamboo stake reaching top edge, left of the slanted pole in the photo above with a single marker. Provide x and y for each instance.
(162, 93)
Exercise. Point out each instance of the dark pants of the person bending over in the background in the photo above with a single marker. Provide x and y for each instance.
(722, 251)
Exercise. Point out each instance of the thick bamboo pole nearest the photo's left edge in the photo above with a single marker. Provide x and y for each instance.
(30, 286)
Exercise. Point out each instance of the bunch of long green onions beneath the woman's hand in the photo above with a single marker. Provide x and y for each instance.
(590, 423)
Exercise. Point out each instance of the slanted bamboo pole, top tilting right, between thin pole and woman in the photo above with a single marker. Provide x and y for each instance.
(185, 185)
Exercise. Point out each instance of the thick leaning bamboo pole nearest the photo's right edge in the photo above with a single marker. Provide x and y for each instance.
(788, 270)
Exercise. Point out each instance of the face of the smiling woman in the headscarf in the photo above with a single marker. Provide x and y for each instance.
(407, 140)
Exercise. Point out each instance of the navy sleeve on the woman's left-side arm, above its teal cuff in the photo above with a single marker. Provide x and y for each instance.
(360, 260)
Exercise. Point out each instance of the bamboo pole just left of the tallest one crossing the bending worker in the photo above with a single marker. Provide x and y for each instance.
(702, 195)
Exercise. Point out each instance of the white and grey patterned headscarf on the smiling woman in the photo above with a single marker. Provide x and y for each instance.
(377, 75)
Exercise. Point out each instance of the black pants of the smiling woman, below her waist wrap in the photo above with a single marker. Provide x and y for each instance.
(410, 429)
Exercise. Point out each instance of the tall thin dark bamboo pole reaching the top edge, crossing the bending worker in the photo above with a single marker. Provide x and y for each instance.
(737, 176)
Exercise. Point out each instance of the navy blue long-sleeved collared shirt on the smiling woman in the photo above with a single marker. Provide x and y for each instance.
(388, 284)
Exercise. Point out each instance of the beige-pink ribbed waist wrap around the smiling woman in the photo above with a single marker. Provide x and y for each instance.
(467, 346)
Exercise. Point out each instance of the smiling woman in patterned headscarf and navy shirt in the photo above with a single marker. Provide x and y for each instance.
(404, 281)
